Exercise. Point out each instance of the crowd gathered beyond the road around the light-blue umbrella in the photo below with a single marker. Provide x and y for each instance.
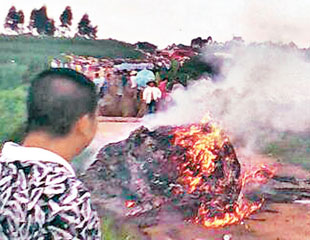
(125, 89)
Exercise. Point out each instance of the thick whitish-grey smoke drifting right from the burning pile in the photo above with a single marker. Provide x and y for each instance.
(264, 91)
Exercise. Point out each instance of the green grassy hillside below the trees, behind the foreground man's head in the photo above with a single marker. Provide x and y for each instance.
(22, 57)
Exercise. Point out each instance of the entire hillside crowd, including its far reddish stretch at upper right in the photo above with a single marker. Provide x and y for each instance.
(123, 89)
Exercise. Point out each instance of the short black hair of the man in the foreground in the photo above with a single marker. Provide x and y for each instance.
(57, 98)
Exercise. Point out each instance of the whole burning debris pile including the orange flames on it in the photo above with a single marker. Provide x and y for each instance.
(192, 169)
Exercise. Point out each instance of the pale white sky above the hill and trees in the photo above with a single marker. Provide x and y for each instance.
(163, 22)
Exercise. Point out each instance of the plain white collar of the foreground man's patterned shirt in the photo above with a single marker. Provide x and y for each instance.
(12, 152)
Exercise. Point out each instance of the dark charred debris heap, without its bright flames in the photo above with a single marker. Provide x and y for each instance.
(139, 178)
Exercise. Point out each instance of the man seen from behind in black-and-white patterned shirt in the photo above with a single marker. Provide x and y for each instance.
(40, 195)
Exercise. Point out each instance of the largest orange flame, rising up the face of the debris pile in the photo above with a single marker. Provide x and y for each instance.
(201, 140)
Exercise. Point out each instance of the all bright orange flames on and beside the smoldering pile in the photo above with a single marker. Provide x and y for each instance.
(202, 142)
